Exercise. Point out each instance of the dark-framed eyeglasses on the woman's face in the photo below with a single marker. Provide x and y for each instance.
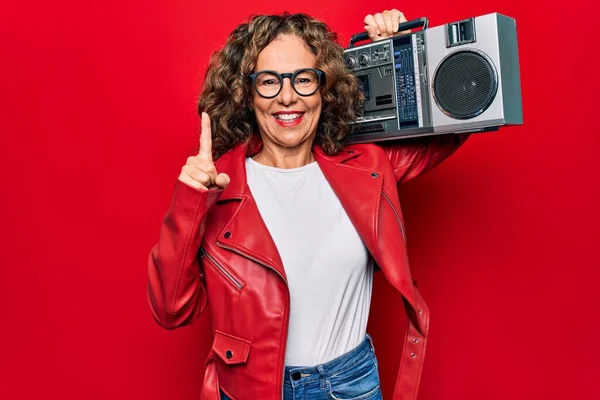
(305, 81)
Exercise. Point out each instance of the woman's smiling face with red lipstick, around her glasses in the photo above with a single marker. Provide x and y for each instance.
(288, 121)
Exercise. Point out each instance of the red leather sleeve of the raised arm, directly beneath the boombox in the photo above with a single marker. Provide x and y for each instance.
(413, 157)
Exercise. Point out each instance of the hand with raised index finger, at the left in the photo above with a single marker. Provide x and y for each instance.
(199, 171)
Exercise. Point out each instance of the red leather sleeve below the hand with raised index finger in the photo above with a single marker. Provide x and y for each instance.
(176, 292)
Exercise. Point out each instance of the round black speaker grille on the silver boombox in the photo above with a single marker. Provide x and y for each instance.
(465, 84)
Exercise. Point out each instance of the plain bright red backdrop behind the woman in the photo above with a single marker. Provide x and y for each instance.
(98, 113)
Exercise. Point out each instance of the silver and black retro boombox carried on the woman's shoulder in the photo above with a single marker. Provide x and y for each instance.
(455, 78)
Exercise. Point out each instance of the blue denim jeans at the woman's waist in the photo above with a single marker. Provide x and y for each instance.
(352, 376)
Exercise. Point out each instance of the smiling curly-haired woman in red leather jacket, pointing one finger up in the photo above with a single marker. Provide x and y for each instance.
(281, 235)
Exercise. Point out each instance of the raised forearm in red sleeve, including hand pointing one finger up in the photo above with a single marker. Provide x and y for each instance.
(176, 291)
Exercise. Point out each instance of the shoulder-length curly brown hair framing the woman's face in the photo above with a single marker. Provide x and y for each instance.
(227, 96)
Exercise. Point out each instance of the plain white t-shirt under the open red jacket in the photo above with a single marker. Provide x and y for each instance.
(329, 274)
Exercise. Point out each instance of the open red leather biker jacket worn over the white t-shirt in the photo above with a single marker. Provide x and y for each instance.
(215, 250)
